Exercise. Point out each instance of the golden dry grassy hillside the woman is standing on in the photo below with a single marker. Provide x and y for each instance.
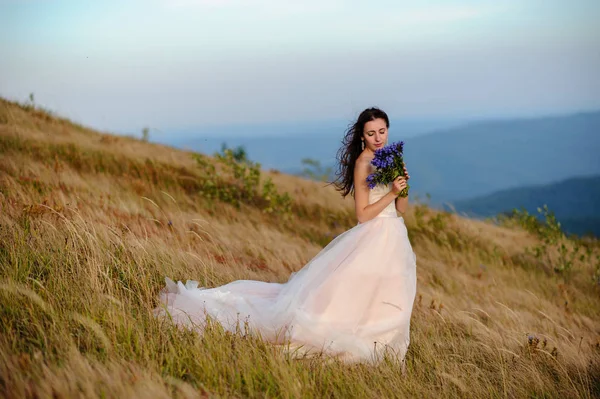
(91, 223)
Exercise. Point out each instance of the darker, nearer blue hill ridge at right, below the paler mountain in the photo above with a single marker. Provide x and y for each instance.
(575, 202)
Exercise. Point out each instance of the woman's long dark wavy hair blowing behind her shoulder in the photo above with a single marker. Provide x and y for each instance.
(351, 149)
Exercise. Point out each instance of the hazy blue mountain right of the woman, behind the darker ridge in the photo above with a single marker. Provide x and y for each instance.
(485, 157)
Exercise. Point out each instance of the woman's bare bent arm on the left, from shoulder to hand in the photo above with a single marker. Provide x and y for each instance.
(364, 211)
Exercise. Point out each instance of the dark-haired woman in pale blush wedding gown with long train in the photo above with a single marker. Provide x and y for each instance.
(353, 300)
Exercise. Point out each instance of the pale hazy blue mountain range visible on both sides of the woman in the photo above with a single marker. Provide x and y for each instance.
(452, 163)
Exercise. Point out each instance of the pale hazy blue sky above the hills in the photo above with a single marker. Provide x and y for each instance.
(121, 65)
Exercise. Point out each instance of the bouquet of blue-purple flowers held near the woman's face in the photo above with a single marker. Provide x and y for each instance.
(389, 164)
